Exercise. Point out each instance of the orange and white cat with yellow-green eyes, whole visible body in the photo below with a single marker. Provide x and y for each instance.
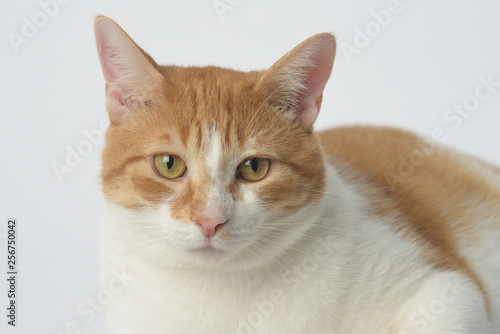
(227, 213)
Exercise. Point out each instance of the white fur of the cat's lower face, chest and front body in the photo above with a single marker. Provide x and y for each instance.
(329, 268)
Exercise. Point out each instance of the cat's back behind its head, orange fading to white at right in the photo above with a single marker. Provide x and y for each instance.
(447, 200)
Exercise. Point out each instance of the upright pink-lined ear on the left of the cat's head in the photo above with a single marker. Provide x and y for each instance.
(130, 73)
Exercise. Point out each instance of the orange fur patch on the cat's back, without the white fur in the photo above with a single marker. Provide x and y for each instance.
(435, 203)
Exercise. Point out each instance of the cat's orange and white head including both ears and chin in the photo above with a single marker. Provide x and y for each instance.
(209, 165)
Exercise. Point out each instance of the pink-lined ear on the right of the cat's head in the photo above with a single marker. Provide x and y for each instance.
(298, 79)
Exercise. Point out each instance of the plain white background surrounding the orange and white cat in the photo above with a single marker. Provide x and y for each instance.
(428, 58)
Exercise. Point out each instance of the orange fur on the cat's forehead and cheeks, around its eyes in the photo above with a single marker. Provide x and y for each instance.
(195, 99)
